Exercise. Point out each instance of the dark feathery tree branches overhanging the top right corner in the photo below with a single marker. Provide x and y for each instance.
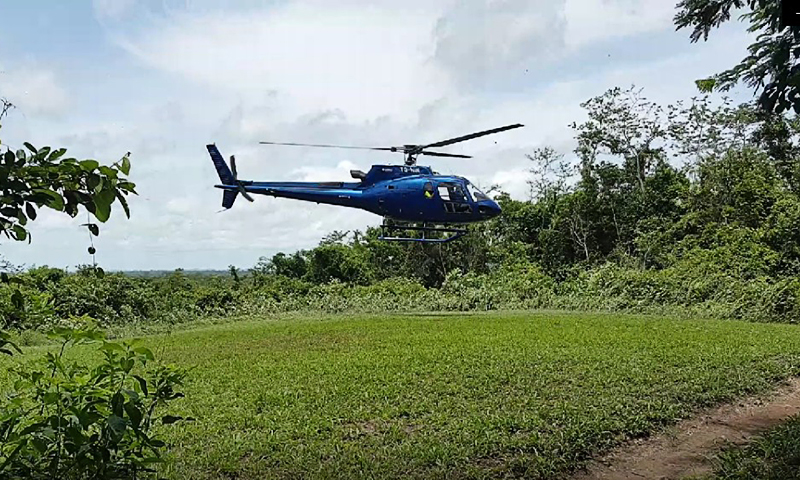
(771, 66)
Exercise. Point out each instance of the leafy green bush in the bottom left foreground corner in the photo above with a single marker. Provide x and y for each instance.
(64, 420)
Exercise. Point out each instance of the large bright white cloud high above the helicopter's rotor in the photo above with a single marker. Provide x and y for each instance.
(363, 60)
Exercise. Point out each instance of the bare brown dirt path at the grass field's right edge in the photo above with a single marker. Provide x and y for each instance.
(684, 449)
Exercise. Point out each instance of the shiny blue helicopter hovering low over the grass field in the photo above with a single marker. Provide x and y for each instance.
(409, 197)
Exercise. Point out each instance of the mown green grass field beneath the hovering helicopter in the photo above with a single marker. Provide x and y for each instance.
(456, 396)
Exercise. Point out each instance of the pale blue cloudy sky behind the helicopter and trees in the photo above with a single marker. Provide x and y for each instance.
(162, 78)
